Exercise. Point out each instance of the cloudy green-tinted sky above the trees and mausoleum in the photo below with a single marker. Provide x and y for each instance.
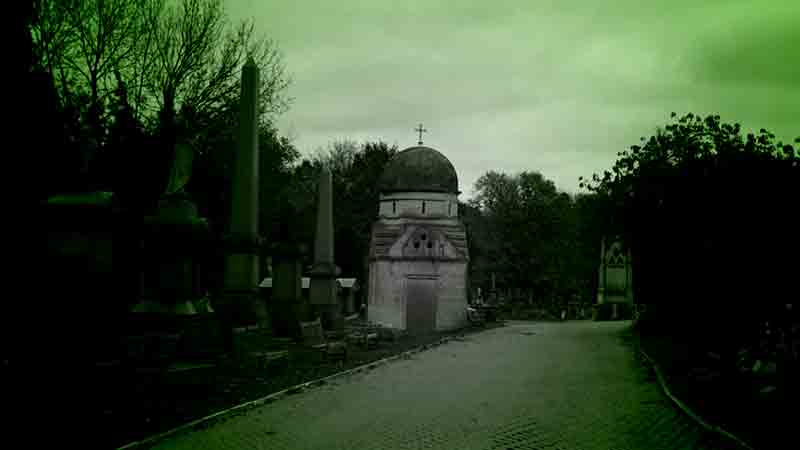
(555, 86)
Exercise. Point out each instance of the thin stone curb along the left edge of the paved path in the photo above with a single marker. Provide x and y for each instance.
(243, 407)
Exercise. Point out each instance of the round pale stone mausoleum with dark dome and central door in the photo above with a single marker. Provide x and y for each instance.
(418, 250)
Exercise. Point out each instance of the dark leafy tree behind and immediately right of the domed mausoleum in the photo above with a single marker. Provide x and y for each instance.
(524, 231)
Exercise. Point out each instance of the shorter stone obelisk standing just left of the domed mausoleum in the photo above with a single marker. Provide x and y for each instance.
(323, 294)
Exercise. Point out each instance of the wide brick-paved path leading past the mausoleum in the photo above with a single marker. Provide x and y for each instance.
(573, 385)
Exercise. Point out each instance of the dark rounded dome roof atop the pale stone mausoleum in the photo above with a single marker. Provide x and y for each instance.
(419, 169)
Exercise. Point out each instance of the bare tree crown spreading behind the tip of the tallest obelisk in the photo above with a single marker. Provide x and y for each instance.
(198, 59)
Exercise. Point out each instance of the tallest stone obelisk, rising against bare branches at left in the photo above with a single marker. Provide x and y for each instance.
(242, 244)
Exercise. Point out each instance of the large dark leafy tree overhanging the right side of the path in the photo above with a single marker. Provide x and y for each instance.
(700, 205)
